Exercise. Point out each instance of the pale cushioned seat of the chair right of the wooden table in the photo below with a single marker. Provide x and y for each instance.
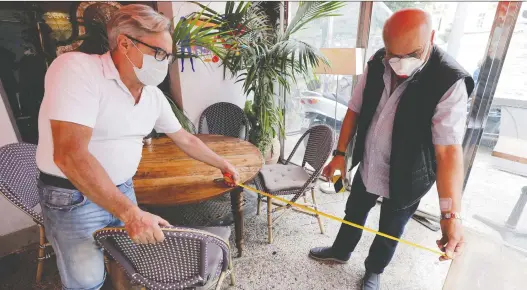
(279, 177)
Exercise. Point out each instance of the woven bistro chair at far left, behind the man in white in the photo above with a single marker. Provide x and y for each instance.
(18, 183)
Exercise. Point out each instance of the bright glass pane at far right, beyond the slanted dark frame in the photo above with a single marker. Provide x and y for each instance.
(496, 192)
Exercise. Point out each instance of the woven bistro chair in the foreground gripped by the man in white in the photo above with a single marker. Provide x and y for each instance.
(187, 258)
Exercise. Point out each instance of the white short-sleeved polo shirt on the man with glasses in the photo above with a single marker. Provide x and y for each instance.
(87, 90)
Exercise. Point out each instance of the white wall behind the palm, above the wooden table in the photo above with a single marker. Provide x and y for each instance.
(206, 85)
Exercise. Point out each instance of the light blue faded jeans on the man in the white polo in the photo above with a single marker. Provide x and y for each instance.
(70, 219)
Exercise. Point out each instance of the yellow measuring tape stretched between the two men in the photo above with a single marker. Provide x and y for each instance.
(306, 208)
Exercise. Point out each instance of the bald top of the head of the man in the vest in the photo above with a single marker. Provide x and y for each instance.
(407, 31)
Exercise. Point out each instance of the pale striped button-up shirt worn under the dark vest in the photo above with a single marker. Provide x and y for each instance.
(448, 126)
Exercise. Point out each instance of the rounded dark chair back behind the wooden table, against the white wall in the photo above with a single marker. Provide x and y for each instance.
(224, 119)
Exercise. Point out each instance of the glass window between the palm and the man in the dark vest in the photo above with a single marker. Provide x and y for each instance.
(319, 100)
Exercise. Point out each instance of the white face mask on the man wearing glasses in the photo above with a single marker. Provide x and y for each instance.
(153, 71)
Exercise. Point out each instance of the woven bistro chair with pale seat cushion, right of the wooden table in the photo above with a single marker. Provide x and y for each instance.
(290, 179)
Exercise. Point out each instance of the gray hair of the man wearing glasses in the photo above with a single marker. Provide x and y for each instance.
(135, 20)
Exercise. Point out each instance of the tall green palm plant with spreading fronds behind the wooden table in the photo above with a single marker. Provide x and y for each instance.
(262, 58)
